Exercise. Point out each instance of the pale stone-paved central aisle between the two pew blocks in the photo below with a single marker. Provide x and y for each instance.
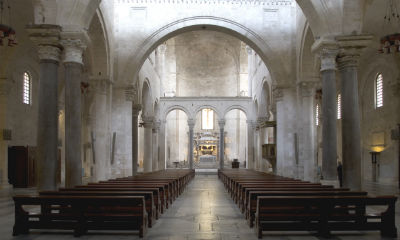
(204, 211)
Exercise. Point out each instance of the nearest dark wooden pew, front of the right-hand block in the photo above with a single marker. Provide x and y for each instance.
(324, 214)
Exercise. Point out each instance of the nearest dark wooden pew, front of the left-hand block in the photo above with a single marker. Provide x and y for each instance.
(85, 213)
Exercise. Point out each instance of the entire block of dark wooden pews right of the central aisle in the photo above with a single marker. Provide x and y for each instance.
(275, 203)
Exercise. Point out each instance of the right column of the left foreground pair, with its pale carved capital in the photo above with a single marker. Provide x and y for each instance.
(73, 65)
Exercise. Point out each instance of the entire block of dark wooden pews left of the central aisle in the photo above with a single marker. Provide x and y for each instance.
(131, 203)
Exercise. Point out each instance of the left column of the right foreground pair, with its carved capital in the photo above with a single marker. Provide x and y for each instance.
(328, 53)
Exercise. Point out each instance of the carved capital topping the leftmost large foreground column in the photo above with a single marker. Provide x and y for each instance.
(47, 39)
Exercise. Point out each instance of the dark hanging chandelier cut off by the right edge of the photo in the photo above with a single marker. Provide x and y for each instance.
(391, 42)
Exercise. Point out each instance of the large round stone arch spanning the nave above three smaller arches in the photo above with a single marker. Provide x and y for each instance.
(210, 23)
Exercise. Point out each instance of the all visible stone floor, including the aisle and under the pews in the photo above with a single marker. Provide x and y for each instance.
(203, 211)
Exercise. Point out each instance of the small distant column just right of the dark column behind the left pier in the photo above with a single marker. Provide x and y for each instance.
(147, 156)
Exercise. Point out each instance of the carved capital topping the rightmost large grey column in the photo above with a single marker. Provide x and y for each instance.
(351, 48)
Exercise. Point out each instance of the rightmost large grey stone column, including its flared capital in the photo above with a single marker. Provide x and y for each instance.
(350, 51)
